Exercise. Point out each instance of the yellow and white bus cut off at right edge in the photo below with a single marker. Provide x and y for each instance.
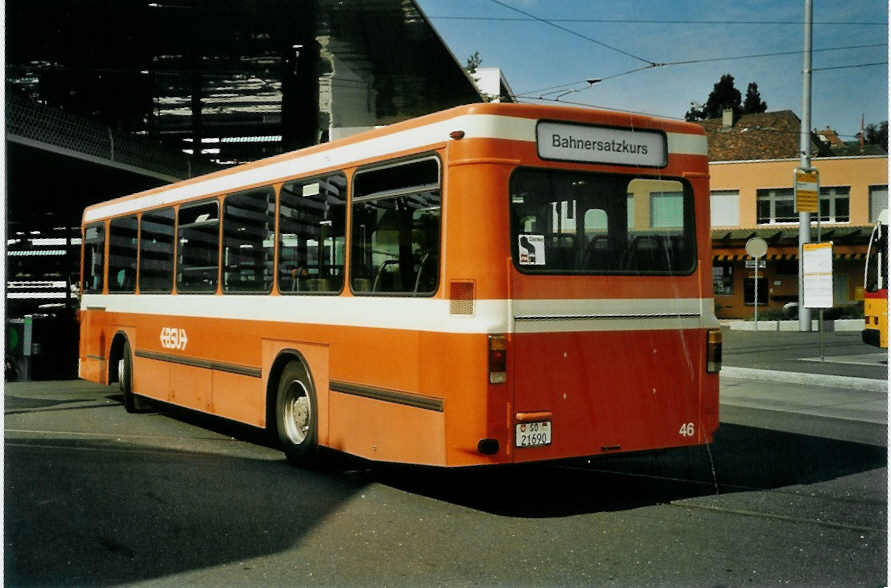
(875, 285)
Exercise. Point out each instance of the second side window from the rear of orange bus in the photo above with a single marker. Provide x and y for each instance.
(312, 235)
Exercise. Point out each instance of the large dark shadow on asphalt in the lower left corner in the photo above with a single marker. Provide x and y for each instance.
(85, 512)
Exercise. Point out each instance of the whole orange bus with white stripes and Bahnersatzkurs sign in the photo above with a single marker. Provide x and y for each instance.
(490, 284)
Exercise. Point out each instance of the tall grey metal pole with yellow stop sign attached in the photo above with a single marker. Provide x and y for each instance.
(804, 218)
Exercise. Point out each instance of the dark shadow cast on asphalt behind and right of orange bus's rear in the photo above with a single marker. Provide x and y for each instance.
(742, 459)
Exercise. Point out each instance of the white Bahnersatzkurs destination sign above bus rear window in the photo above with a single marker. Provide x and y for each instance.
(573, 142)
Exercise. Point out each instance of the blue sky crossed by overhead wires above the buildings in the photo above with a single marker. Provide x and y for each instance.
(534, 55)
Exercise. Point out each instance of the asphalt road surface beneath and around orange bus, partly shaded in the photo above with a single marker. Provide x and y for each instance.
(96, 496)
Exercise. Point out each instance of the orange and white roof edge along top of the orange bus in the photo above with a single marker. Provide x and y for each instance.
(484, 120)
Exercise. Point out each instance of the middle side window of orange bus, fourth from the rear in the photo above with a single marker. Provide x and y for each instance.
(198, 255)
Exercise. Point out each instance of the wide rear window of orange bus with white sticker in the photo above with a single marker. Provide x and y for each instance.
(587, 223)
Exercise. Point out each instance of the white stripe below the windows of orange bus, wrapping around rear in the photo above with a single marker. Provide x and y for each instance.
(426, 314)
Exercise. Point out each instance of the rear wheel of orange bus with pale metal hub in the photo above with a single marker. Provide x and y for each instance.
(296, 416)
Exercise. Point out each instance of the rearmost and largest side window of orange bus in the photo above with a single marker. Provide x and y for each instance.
(396, 229)
